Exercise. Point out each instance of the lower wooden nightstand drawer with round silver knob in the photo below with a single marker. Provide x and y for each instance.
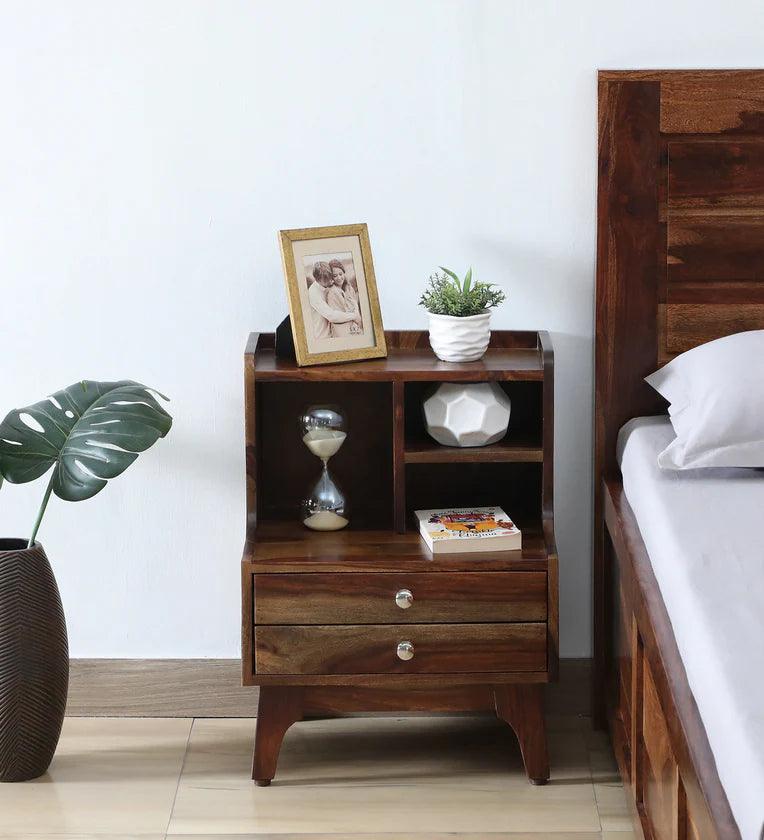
(400, 648)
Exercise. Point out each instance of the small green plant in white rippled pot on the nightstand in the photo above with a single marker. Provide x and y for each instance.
(460, 315)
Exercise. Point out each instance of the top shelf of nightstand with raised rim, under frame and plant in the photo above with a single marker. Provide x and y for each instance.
(512, 356)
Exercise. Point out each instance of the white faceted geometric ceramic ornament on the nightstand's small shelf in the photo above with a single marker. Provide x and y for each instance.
(467, 415)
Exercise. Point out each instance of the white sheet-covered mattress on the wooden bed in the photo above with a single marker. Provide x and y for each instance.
(704, 532)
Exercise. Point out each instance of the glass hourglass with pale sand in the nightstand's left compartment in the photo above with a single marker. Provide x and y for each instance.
(324, 432)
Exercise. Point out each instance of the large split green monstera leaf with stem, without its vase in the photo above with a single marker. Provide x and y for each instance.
(89, 432)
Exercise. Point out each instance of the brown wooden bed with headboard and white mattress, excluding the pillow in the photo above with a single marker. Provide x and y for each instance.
(680, 261)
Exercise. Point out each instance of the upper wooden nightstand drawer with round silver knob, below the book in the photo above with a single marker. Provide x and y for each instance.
(400, 598)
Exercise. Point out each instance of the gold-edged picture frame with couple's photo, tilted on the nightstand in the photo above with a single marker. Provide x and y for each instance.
(330, 279)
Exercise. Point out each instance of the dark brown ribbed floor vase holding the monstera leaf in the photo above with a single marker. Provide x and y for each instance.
(34, 662)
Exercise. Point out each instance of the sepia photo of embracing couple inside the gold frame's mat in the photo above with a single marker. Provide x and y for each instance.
(335, 308)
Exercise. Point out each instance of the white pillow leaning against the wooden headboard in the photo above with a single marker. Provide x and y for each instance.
(716, 393)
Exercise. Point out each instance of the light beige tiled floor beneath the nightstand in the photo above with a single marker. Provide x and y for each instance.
(394, 778)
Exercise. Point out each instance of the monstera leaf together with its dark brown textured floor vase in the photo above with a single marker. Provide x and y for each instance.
(88, 433)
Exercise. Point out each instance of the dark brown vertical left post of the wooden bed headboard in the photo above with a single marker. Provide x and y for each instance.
(628, 238)
